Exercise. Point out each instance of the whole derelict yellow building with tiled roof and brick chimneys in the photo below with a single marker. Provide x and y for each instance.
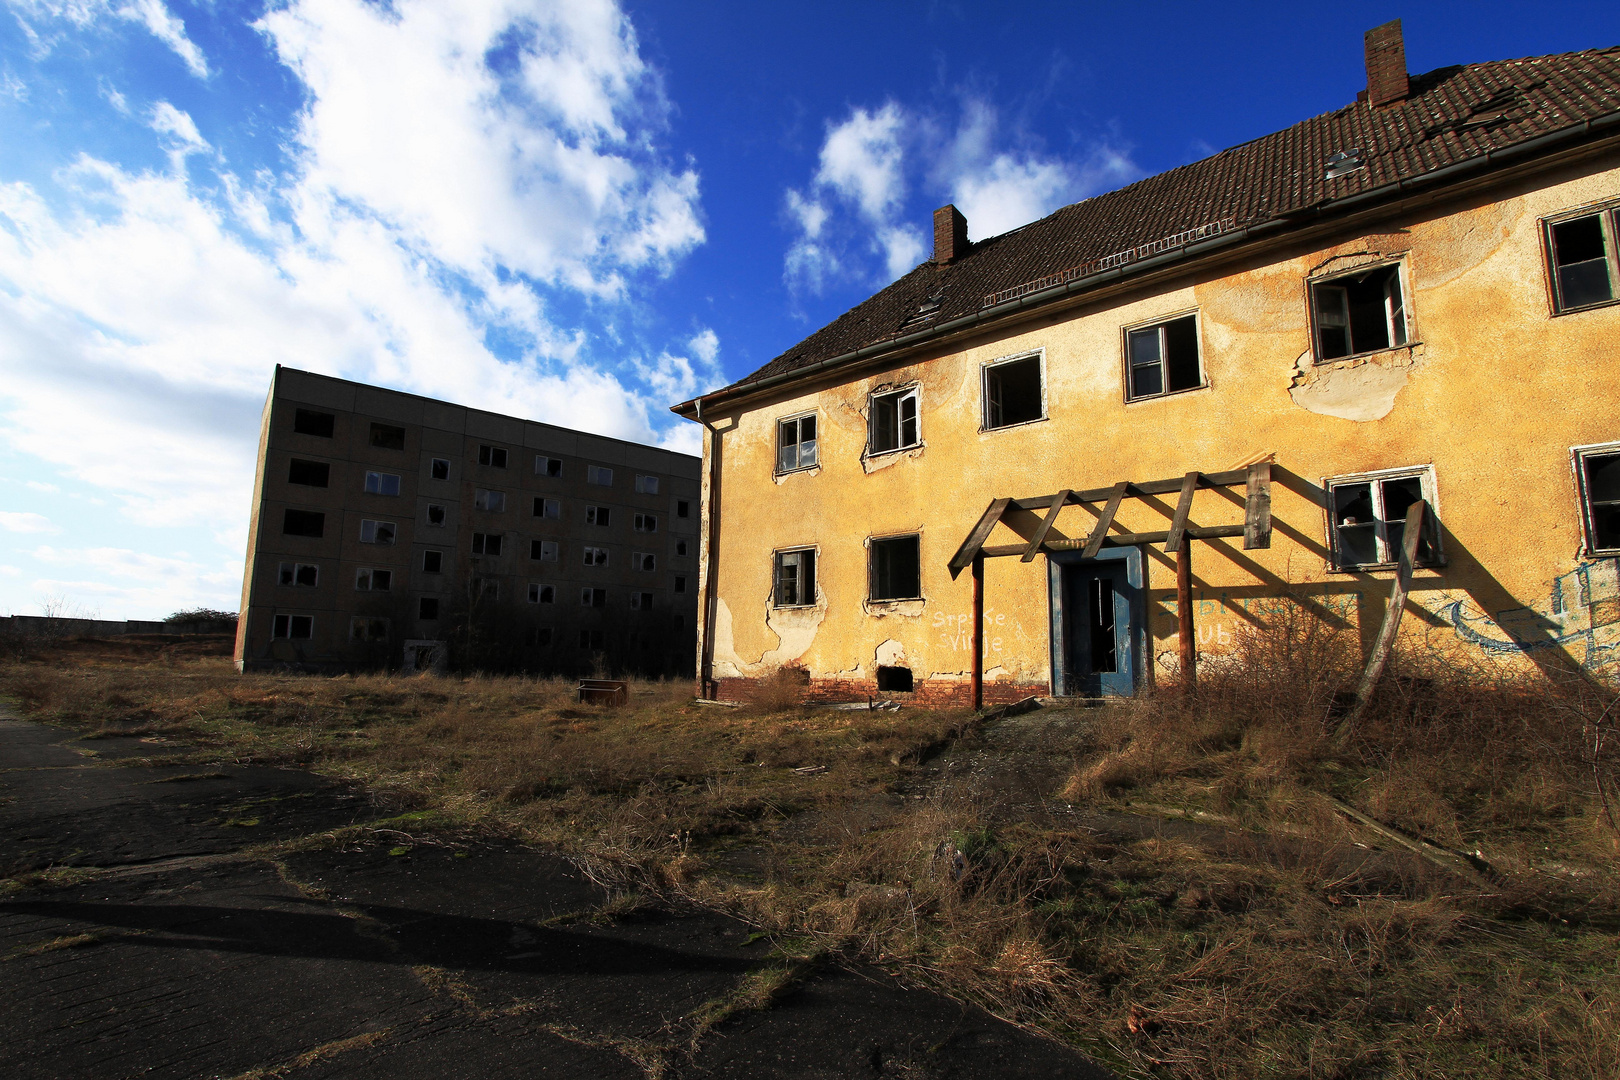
(1412, 299)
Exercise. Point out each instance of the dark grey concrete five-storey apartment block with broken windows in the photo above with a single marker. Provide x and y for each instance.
(396, 532)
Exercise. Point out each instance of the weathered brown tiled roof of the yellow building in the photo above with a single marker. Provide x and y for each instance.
(1451, 116)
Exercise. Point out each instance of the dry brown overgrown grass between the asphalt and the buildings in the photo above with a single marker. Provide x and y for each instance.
(1285, 951)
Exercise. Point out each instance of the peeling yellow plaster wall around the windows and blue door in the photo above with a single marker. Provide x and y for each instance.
(1493, 394)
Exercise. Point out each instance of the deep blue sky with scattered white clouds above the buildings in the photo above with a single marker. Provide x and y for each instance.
(578, 211)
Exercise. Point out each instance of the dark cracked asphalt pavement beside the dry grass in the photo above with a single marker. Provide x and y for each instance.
(155, 938)
